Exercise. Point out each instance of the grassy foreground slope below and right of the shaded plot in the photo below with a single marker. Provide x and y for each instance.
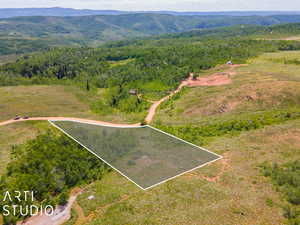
(240, 196)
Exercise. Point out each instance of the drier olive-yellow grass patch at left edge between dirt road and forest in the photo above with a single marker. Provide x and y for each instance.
(39, 101)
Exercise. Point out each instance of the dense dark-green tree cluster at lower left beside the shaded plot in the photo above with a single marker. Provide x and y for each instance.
(50, 164)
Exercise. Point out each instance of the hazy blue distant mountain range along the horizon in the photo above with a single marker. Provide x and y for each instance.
(14, 12)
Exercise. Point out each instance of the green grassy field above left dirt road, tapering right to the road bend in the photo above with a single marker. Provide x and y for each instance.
(42, 100)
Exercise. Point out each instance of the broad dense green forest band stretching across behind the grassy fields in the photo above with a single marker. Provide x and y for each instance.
(151, 68)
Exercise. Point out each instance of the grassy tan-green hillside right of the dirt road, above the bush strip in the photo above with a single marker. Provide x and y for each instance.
(262, 85)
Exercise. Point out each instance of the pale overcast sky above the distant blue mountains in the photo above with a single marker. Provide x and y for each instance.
(177, 5)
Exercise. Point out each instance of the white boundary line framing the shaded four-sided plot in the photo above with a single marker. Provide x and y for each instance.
(219, 156)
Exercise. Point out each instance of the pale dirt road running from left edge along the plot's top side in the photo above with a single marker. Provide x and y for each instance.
(69, 118)
